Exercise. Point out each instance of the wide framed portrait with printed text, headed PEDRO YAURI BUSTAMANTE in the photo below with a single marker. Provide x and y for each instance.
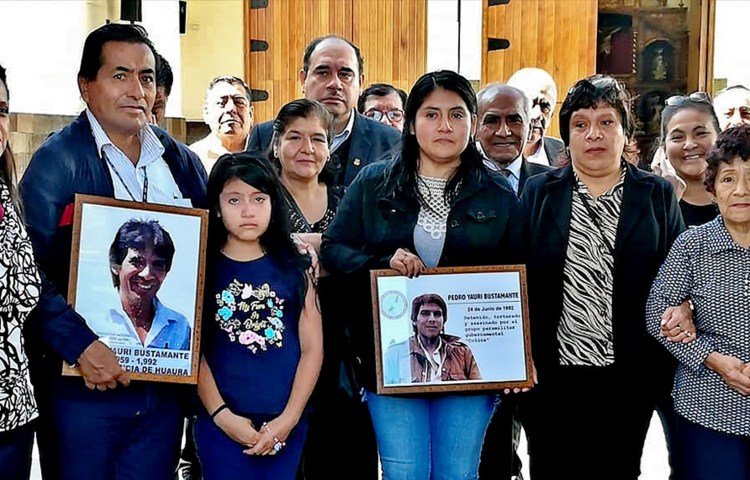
(451, 329)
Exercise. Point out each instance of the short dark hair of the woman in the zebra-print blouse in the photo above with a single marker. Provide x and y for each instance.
(588, 93)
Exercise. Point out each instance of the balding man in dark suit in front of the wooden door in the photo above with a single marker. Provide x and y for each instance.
(332, 73)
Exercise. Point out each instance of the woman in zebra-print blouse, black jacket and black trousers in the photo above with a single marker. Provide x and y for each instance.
(597, 231)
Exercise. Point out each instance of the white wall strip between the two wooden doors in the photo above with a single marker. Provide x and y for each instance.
(443, 34)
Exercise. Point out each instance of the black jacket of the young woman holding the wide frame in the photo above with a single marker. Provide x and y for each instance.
(483, 228)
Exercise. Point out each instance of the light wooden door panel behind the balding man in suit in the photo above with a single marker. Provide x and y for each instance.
(392, 35)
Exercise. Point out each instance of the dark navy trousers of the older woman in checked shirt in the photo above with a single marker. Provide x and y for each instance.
(705, 454)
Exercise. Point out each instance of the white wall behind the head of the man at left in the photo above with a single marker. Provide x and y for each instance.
(42, 42)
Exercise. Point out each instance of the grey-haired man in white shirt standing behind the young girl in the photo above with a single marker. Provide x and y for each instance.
(229, 115)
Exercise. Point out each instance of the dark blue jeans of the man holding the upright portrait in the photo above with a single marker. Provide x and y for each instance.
(130, 433)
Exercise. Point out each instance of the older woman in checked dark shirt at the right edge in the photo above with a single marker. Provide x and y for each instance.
(710, 265)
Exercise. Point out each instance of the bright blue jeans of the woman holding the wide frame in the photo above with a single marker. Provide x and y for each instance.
(424, 438)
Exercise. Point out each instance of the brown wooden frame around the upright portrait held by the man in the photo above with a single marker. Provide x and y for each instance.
(80, 201)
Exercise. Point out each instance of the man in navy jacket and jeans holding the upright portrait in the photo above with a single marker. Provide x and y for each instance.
(93, 427)
